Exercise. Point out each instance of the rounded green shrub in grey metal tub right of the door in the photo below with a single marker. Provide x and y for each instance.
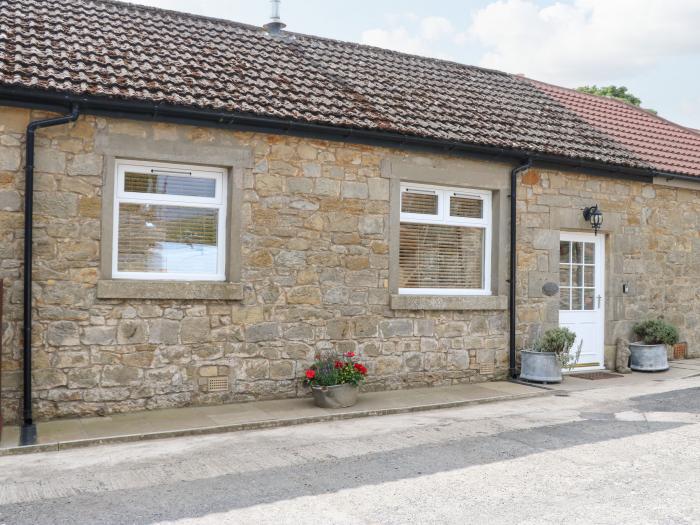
(649, 353)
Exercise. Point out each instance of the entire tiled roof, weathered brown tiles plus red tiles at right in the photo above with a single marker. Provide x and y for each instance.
(128, 52)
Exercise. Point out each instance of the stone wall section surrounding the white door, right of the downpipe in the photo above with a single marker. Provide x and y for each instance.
(652, 235)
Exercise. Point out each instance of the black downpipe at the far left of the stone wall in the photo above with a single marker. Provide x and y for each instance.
(28, 429)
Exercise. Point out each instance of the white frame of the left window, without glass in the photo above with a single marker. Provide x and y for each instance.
(218, 202)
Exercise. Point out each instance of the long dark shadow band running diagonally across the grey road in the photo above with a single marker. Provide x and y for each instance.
(192, 499)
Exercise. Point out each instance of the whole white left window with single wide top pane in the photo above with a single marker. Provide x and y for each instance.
(169, 222)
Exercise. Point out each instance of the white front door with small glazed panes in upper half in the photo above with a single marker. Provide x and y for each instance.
(582, 294)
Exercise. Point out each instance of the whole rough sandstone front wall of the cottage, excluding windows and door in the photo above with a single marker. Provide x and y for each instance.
(314, 270)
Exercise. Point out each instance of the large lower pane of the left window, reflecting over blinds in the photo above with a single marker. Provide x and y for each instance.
(173, 239)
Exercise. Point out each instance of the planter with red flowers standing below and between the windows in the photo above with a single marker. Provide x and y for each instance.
(335, 380)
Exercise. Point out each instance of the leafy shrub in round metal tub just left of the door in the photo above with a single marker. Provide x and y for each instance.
(550, 353)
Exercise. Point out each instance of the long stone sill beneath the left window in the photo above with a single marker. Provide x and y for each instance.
(188, 290)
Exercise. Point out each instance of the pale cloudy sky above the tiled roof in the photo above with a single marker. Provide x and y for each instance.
(650, 46)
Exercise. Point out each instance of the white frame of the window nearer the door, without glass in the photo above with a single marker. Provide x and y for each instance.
(443, 217)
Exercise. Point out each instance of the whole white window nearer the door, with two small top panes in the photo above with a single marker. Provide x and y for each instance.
(445, 241)
